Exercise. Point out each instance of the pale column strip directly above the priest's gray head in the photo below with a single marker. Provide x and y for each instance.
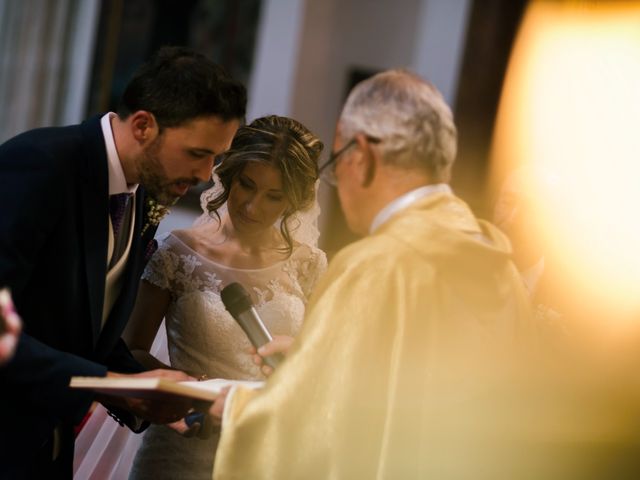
(439, 48)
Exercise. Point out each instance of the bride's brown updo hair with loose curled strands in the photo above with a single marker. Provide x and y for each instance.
(283, 143)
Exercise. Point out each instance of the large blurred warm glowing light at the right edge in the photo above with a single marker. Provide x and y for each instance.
(570, 113)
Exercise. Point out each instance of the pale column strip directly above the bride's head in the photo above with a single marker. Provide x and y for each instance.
(272, 82)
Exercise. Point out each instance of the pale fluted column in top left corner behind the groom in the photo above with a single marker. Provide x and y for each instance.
(46, 52)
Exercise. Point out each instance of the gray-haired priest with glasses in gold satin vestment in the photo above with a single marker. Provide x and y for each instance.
(406, 324)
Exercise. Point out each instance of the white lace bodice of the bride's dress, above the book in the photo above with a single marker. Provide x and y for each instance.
(202, 336)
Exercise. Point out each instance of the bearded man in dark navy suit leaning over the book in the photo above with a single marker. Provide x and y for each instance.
(78, 212)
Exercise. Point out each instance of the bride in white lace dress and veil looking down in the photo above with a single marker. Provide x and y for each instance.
(258, 229)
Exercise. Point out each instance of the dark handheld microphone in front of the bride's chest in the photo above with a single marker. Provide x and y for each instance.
(237, 301)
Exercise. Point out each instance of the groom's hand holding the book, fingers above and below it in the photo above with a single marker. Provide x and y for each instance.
(153, 410)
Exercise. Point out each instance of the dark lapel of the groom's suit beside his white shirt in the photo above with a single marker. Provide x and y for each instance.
(95, 210)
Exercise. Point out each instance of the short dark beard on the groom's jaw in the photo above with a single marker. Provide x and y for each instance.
(154, 179)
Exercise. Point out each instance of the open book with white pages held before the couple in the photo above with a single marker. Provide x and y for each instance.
(158, 388)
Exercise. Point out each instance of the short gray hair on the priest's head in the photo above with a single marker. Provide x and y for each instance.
(409, 116)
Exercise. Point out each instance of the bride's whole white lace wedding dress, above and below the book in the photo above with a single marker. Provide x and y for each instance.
(203, 338)
